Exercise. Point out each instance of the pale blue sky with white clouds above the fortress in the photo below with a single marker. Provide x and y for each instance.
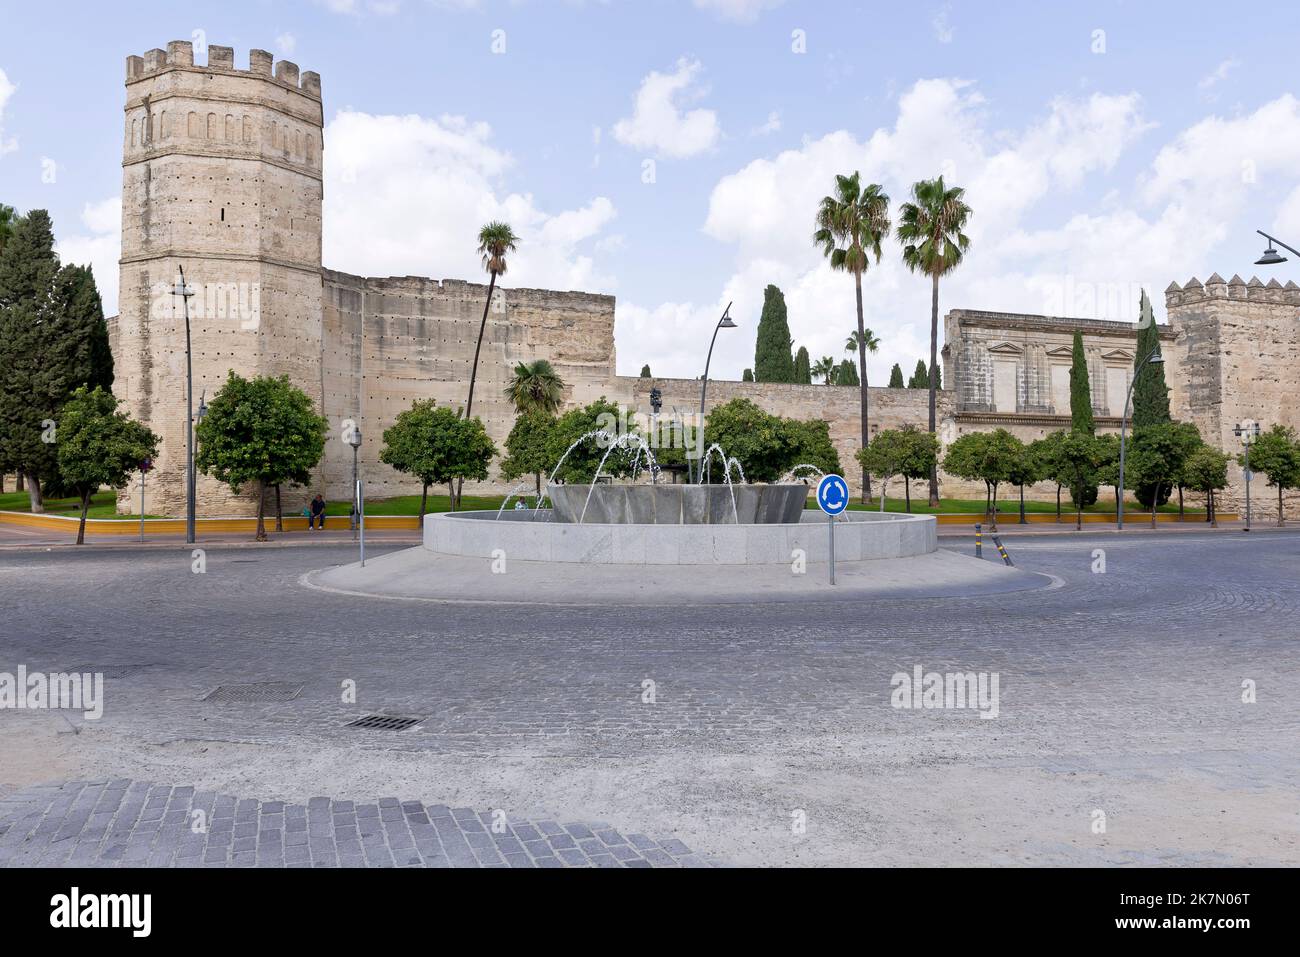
(673, 153)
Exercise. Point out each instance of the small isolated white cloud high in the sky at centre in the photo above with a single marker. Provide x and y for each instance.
(658, 124)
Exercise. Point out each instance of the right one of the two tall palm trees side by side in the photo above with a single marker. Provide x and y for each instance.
(930, 229)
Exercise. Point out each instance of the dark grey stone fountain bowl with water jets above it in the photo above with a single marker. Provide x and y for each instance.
(678, 505)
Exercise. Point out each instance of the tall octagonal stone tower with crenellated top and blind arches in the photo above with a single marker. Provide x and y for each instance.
(222, 175)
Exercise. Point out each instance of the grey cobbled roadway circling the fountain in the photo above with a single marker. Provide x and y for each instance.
(1120, 691)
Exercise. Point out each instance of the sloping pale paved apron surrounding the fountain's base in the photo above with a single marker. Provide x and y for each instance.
(422, 575)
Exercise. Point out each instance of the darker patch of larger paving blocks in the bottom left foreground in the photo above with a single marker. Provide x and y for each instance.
(141, 825)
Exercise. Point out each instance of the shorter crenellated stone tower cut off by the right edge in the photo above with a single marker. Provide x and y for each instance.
(1237, 358)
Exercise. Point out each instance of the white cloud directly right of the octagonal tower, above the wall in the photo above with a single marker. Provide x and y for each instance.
(408, 194)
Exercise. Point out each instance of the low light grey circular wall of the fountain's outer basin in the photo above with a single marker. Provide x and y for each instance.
(535, 536)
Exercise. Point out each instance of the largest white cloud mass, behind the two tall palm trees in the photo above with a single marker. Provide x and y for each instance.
(765, 213)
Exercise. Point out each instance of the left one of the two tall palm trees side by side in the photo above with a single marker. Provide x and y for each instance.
(850, 228)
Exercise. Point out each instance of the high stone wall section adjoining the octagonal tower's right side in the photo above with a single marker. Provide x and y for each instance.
(391, 341)
